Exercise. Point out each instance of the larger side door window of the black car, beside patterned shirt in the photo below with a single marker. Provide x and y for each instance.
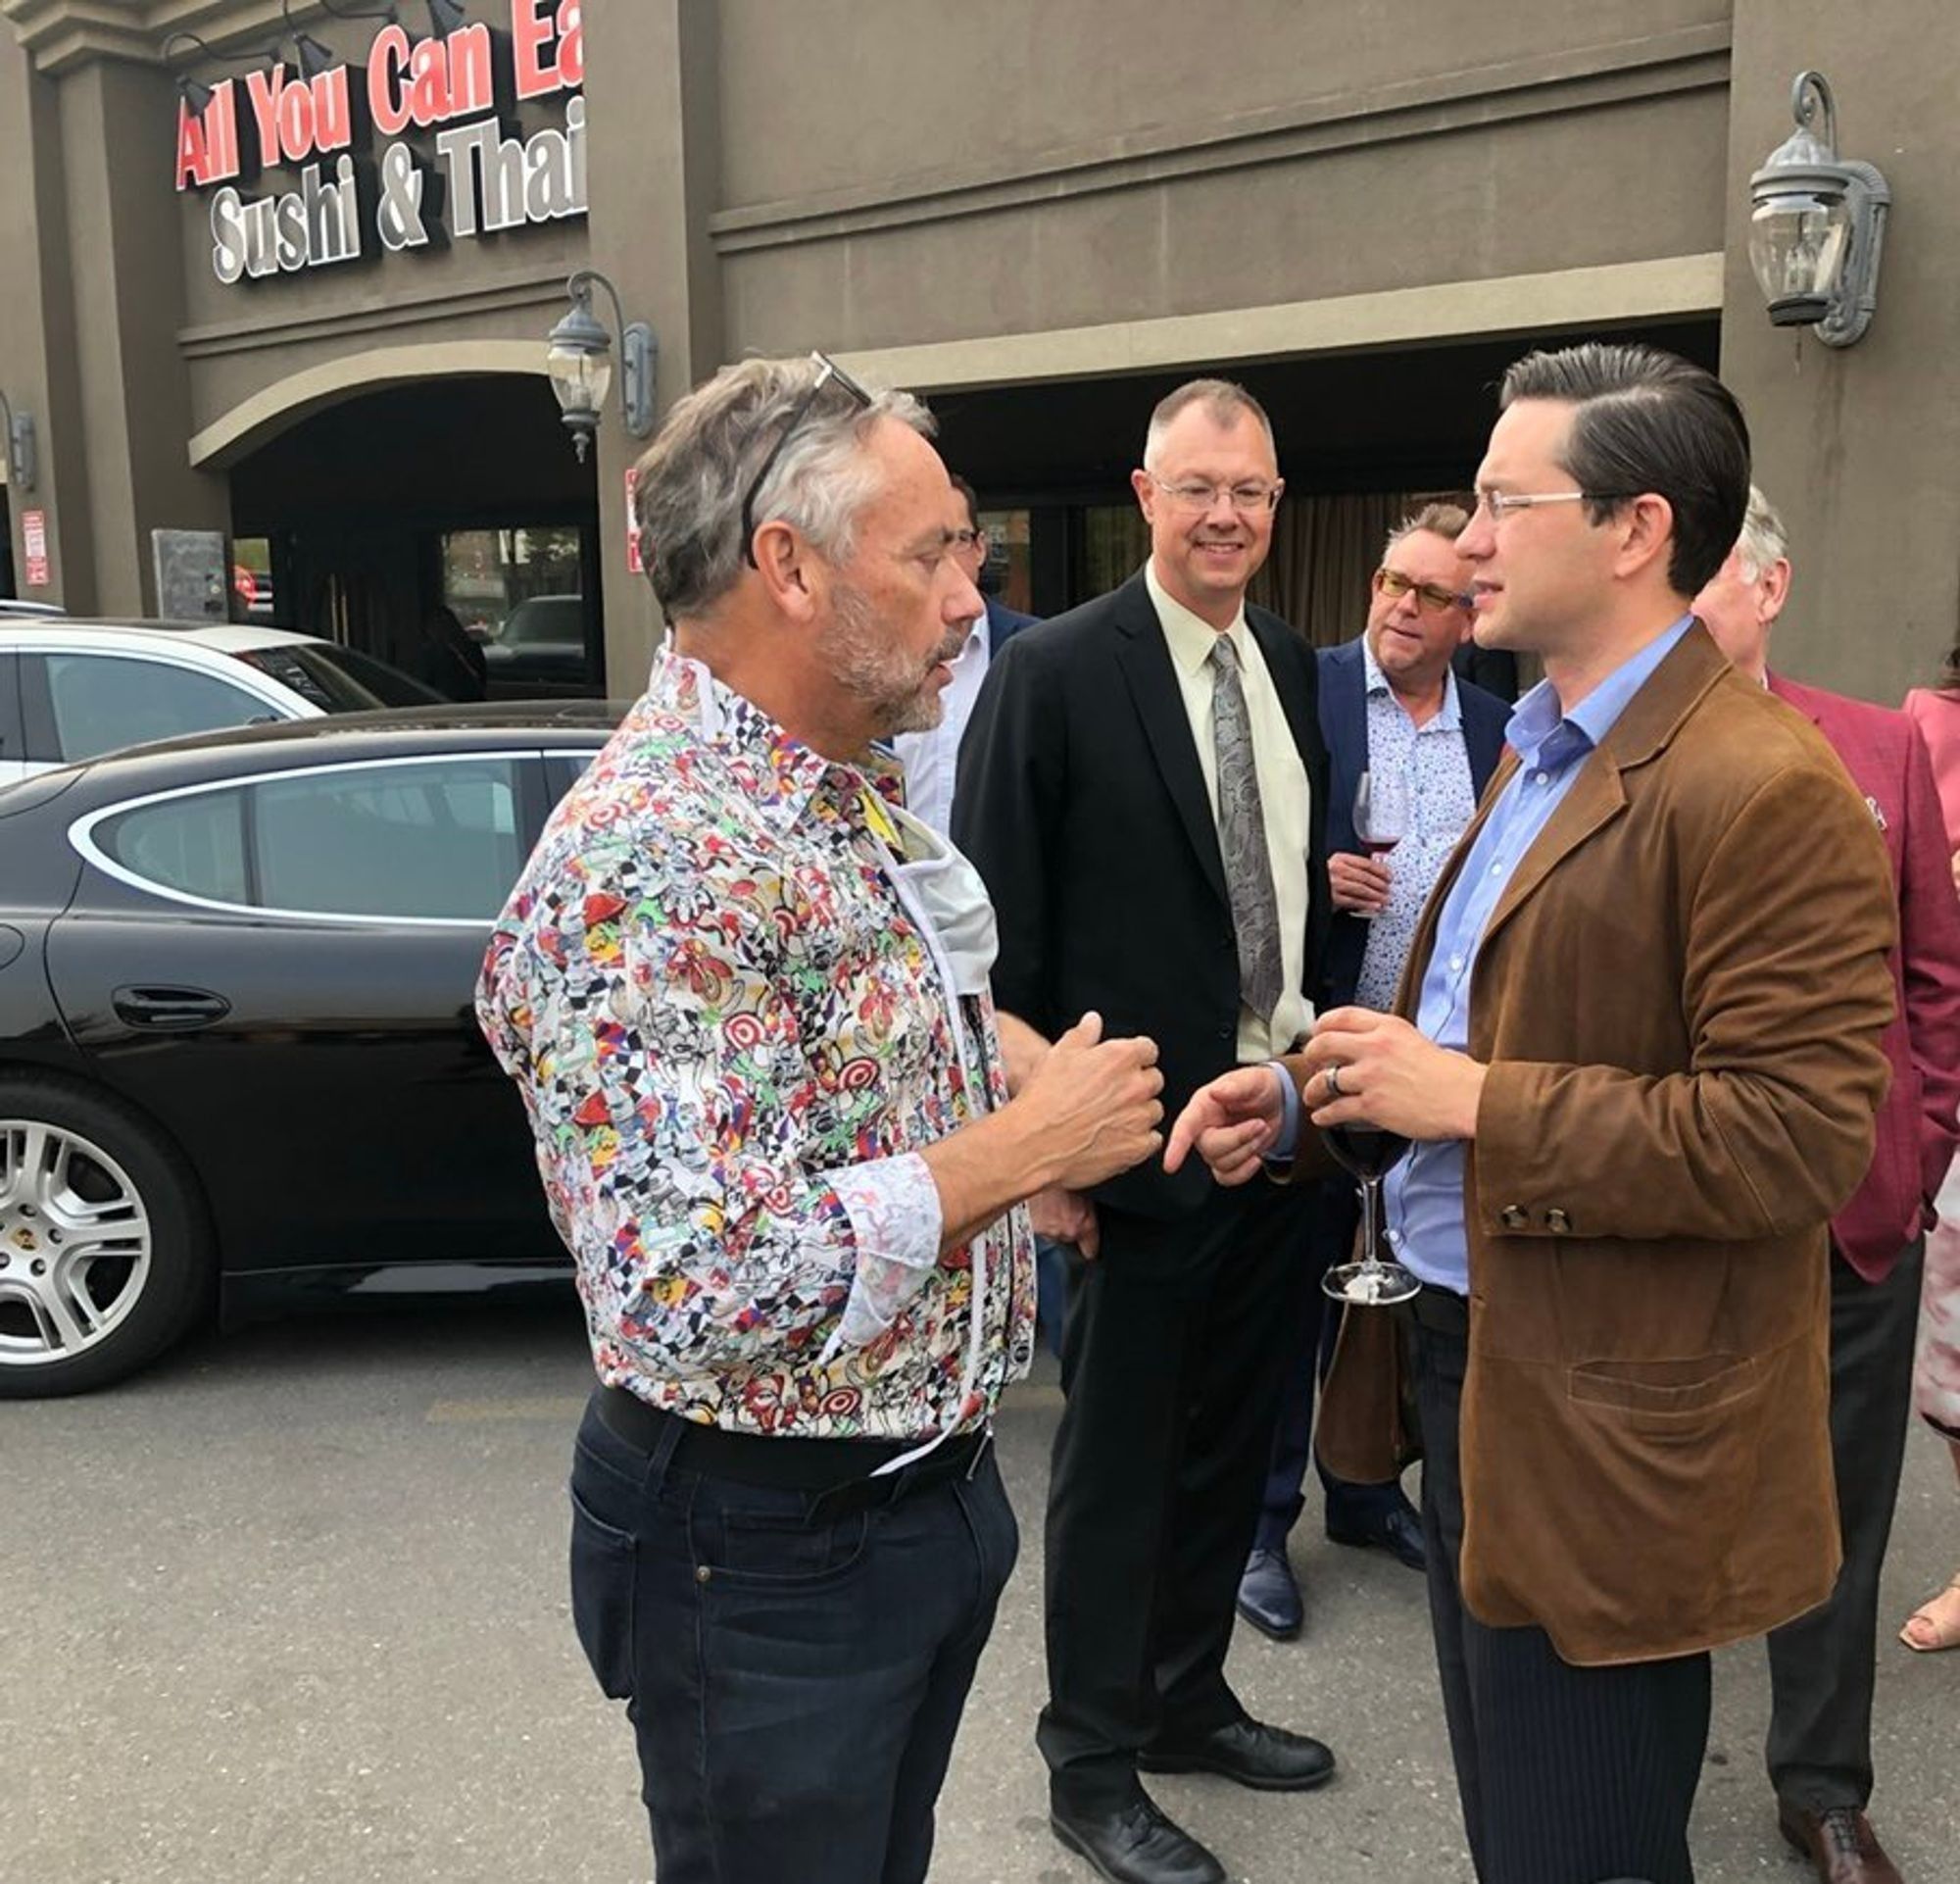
(436, 838)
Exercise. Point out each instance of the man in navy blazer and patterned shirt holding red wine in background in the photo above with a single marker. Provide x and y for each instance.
(1393, 709)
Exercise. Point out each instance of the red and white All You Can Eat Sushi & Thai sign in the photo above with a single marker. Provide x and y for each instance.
(413, 148)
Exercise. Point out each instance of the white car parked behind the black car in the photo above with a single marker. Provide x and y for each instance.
(73, 691)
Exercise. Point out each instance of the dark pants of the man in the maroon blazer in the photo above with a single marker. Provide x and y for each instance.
(1824, 1665)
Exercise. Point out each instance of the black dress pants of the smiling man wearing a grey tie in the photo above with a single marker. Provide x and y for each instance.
(1173, 1356)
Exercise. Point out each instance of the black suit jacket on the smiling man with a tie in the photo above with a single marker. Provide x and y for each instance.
(1085, 809)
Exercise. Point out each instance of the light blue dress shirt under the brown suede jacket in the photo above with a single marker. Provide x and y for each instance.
(1424, 1195)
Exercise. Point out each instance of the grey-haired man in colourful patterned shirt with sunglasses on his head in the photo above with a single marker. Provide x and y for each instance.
(746, 1001)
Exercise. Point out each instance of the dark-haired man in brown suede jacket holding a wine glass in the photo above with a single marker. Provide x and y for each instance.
(1638, 1058)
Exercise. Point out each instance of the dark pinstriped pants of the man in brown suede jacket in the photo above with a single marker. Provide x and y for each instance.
(1567, 1775)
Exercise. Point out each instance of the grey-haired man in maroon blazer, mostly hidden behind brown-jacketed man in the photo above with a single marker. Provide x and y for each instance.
(1824, 1667)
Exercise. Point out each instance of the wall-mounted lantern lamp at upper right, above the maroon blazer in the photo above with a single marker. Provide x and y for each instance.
(1820, 224)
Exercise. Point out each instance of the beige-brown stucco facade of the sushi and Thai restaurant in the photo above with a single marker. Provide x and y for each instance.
(967, 199)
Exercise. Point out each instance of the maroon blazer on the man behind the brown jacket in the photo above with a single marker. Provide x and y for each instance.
(1918, 1126)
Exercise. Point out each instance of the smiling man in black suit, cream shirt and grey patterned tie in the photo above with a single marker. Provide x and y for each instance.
(1142, 787)
